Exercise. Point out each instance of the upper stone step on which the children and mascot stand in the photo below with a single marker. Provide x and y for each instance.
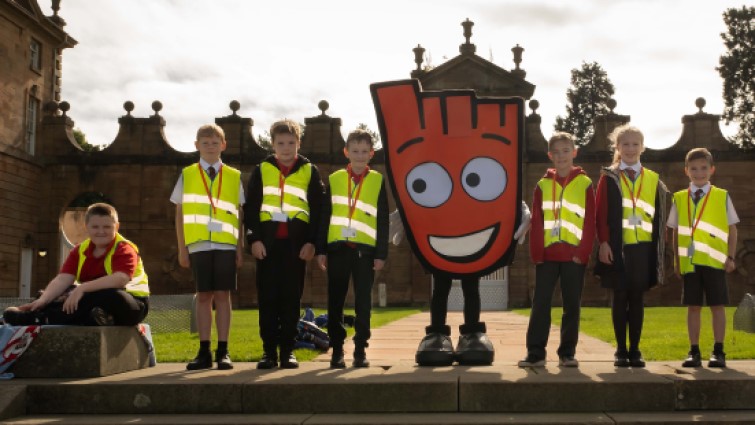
(592, 388)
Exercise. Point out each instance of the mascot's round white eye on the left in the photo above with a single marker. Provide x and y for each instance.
(429, 184)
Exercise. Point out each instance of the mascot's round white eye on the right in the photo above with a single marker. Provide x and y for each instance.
(484, 179)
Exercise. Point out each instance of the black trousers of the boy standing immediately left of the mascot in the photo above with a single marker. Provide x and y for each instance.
(345, 263)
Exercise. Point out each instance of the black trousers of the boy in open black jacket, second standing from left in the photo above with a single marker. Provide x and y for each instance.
(280, 280)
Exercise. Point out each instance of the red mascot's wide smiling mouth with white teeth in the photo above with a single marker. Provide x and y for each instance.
(465, 248)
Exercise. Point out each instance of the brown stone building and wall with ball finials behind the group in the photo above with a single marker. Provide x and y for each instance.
(45, 191)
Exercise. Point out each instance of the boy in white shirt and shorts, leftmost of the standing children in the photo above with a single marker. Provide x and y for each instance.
(208, 197)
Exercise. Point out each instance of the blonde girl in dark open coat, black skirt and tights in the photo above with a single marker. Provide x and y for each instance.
(631, 210)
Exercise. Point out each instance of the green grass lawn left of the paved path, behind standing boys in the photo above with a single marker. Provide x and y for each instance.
(245, 344)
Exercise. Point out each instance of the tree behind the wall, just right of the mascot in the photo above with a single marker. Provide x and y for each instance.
(586, 98)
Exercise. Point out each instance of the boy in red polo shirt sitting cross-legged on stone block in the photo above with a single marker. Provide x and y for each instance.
(102, 282)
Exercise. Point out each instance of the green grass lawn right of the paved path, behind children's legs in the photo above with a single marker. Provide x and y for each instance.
(664, 333)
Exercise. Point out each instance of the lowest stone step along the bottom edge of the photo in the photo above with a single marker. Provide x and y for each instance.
(644, 418)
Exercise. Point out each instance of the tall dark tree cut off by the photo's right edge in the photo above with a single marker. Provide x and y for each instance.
(738, 71)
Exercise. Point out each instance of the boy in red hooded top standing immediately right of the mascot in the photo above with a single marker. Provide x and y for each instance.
(561, 241)
